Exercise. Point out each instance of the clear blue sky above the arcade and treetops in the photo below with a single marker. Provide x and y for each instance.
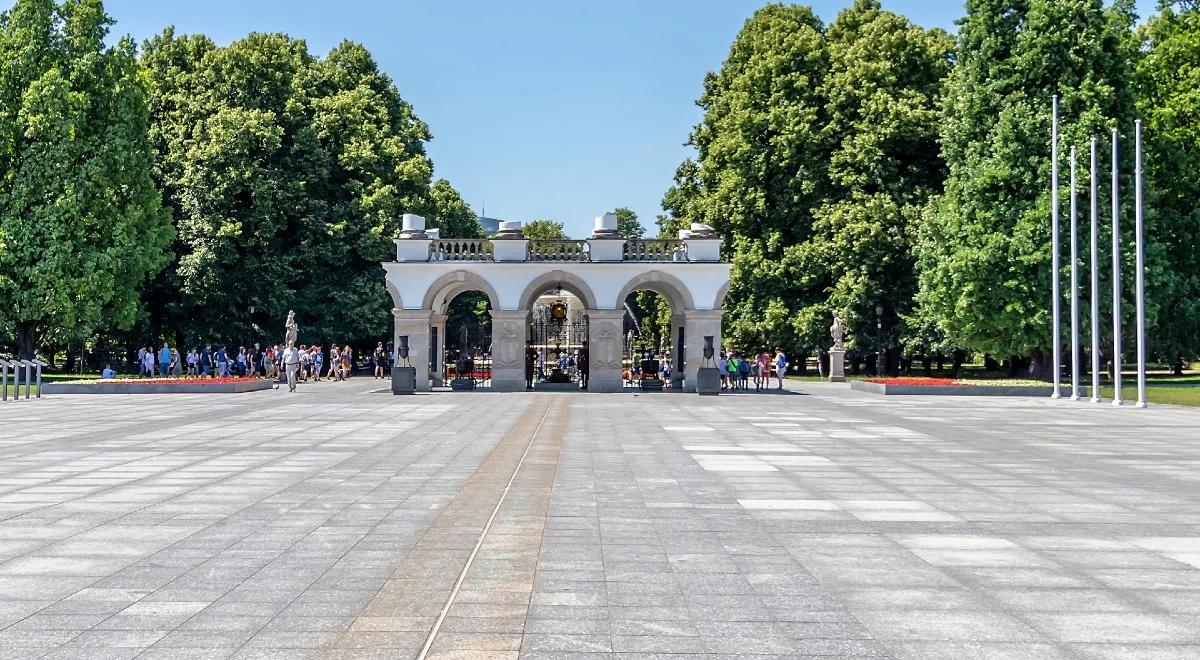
(539, 110)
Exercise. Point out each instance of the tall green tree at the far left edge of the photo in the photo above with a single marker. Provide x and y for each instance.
(81, 221)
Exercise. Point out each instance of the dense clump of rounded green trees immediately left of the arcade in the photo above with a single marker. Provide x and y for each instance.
(289, 176)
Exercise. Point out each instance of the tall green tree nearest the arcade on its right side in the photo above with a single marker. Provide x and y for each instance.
(760, 170)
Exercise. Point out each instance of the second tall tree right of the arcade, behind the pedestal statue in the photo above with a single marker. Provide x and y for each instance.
(881, 98)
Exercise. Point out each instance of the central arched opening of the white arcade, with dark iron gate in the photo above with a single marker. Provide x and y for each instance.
(557, 343)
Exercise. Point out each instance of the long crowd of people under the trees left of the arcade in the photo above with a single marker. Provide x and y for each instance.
(310, 363)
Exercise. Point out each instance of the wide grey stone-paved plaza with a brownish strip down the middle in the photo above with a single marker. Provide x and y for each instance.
(346, 523)
